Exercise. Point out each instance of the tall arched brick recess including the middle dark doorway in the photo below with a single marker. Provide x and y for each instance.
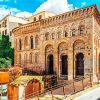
(63, 58)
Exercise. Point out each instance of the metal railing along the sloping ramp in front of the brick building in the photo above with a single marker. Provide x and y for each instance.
(65, 88)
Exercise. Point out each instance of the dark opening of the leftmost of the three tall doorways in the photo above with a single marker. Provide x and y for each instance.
(50, 64)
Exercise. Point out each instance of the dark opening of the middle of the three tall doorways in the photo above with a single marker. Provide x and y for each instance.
(64, 65)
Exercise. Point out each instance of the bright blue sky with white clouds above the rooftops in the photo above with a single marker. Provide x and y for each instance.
(24, 8)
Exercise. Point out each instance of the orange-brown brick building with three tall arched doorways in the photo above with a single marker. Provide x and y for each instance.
(67, 44)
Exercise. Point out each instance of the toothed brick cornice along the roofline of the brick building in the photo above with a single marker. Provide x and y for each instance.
(71, 15)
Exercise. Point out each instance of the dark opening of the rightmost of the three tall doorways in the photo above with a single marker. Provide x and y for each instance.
(80, 64)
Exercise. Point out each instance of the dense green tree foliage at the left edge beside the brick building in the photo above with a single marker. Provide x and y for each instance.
(6, 52)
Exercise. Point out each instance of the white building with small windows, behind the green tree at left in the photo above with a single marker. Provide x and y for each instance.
(8, 23)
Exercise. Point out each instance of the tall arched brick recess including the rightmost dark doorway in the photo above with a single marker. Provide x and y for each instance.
(79, 55)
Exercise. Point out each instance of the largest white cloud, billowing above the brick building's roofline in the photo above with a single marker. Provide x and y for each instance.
(55, 6)
